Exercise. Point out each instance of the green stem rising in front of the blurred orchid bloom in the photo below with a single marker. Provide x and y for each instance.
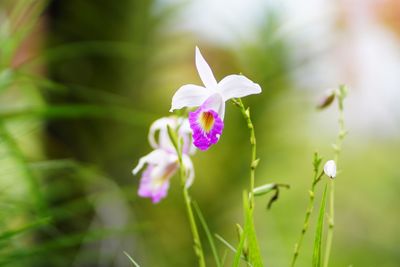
(198, 249)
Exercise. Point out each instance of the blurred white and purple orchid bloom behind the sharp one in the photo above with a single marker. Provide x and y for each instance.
(162, 162)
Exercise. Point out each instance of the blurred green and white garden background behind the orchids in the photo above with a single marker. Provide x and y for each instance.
(81, 81)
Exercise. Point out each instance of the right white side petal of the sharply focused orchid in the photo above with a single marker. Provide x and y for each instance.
(235, 86)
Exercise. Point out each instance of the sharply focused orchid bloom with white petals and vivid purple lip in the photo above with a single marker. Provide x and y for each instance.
(207, 121)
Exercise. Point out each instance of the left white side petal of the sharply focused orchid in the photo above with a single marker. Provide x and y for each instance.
(189, 96)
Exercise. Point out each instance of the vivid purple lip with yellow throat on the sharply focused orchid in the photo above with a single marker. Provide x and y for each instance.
(207, 127)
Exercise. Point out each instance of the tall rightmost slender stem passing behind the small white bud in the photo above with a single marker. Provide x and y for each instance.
(337, 150)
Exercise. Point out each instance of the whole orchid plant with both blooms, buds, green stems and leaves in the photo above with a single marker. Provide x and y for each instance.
(175, 139)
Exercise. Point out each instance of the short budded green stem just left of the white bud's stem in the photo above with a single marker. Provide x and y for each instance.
(309, 210)
